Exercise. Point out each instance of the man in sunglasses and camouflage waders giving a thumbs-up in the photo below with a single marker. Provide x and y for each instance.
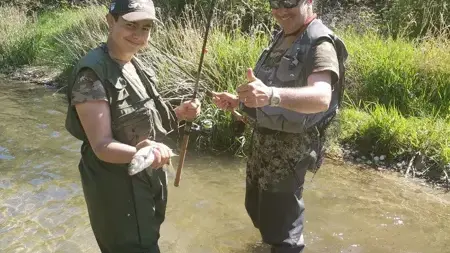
(293, 97)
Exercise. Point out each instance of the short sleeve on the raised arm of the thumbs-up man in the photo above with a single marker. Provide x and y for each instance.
(325, 58)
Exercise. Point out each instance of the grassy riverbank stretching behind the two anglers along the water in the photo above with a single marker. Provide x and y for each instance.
(397, 105)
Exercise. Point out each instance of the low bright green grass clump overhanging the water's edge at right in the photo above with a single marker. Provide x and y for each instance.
(384, 131)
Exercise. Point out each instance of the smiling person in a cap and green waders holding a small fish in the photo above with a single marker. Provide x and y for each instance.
(115, 110)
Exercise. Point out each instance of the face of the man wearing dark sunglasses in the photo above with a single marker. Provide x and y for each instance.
(290, 19)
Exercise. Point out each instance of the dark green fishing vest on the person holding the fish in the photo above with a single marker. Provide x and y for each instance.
(137, 110)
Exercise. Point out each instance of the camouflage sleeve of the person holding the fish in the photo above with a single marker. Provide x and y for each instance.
(87, 87)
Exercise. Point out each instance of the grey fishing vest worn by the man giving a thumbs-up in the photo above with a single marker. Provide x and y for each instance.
(293, 71)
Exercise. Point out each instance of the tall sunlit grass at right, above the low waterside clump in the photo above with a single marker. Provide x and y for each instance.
(412, 77)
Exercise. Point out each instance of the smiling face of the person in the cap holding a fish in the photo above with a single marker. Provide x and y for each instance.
(130, 36)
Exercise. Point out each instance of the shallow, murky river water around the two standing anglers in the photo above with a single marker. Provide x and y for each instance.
(42, 208)
